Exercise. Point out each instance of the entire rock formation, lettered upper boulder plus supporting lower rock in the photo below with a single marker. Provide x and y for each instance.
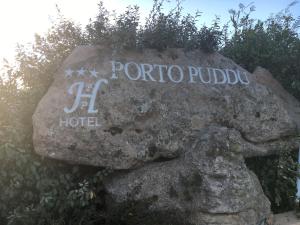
(175, 125)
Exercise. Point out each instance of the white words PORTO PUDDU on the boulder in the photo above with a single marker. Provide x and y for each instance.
(177, 74)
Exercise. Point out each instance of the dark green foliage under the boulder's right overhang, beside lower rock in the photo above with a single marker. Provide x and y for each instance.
(277, 175)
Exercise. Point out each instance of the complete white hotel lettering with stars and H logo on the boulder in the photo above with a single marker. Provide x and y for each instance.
(84, 93)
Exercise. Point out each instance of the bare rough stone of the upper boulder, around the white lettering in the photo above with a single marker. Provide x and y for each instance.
(136, 117)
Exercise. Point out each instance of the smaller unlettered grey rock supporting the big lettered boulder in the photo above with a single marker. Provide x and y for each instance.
(210, 184)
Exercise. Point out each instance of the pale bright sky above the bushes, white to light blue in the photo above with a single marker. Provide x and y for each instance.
(21, 19)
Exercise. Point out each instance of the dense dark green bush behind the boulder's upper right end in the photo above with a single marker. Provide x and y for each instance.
(273, 44)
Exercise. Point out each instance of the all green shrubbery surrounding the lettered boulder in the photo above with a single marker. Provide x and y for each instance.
(39, 191)
